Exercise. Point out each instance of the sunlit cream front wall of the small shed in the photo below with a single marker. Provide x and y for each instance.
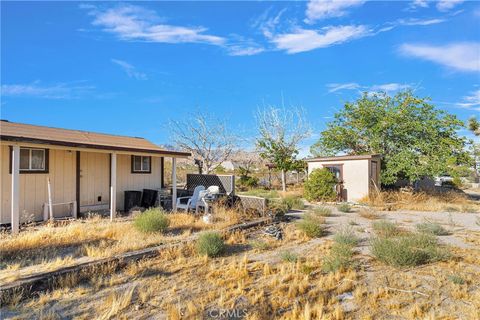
(355, 176)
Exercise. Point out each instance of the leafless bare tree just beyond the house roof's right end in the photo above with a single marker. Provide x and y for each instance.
(206, 137)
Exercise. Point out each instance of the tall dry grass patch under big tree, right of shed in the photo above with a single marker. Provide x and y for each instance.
(397, 200)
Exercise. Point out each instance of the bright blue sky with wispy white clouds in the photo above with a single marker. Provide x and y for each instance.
(127, 68)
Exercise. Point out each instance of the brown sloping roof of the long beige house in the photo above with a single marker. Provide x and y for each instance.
(11, 131)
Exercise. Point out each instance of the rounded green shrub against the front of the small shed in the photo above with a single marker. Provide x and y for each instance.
(320, 186)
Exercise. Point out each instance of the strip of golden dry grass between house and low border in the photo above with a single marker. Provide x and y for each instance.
(52, 246)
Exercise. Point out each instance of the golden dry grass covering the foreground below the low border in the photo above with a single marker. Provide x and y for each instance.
(181, 285)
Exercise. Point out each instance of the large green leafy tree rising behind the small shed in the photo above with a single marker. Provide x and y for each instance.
(414, 137)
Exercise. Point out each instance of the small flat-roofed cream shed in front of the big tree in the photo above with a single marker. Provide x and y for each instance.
(360, 174)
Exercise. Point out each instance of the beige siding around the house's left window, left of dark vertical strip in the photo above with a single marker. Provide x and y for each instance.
(33, 187)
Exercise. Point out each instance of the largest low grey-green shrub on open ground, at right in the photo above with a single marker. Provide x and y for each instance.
(407, 251)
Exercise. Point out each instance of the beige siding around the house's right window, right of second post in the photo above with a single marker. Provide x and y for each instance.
(135, 181)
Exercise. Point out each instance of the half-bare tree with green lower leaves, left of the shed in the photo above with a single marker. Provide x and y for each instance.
(280, 131)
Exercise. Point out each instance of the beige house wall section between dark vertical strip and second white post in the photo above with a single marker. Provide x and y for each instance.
(94, 181)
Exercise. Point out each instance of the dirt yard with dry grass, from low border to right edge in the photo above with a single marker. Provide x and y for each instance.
(259, 281)
